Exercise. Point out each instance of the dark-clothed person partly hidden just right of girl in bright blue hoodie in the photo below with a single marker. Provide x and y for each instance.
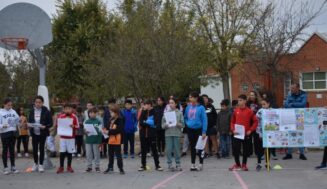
(211, 130)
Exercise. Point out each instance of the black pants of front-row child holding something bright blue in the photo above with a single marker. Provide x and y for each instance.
(146, 144)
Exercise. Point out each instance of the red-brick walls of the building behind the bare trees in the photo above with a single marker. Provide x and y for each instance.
(312, 56)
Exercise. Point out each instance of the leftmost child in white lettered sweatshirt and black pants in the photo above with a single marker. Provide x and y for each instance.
(9, 120)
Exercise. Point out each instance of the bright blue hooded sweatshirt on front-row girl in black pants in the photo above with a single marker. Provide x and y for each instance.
(196, 118)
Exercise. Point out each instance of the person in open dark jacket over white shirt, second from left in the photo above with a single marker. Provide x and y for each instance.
(41, 117)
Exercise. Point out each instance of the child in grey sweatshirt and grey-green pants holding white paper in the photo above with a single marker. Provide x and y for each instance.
(173, 133)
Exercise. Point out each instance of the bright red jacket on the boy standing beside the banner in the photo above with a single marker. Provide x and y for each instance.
(245, 117)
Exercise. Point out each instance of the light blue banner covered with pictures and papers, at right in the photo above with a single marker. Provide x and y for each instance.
(302, 127)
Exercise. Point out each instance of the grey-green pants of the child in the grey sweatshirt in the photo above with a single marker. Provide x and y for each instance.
(173, 146)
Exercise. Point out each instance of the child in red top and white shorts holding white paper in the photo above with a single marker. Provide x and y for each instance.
(67, 140)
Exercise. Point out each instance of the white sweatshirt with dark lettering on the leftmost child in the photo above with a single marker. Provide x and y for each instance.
(11, 119)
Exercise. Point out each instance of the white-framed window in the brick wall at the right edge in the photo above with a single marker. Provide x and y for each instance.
(314, 80)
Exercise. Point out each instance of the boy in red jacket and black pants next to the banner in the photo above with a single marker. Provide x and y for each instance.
(242, 117)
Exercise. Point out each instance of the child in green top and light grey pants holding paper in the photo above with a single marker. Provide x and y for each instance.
(93, 140)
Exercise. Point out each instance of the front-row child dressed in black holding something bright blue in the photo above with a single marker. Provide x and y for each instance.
(148, 134)
